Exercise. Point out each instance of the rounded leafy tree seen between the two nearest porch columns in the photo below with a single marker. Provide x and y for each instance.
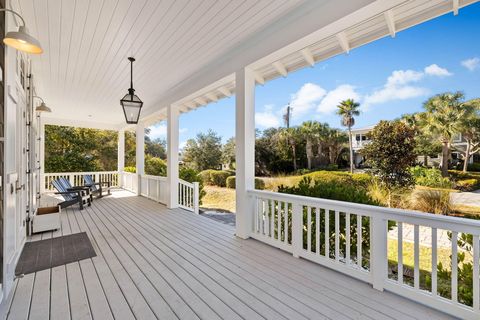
(204, 152)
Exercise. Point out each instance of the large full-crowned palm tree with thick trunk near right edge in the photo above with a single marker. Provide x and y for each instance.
(443, 117)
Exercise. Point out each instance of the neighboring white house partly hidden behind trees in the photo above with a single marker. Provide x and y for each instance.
(360, 138)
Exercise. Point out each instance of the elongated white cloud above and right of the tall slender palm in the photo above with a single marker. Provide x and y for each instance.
(398, 87)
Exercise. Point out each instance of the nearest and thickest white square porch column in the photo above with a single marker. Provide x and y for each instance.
(245, 150)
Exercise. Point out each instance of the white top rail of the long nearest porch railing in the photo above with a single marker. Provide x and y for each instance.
(409, 216)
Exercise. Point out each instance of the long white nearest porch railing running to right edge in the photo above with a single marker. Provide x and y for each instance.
(326, 232)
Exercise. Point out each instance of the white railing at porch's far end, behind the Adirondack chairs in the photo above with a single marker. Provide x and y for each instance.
(76, 178)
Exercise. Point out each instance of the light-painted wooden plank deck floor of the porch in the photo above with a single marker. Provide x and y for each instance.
(155, 263)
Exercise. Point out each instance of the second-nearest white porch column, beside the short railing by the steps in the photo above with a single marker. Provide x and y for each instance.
(172, 156)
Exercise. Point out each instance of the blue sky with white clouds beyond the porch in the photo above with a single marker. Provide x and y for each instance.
(389, 77)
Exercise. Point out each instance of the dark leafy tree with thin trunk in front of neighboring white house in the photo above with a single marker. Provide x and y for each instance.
(391, 154)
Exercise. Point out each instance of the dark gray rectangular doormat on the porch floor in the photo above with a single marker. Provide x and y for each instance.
(49, 253)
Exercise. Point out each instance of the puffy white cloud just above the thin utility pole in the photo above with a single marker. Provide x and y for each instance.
(305, 99)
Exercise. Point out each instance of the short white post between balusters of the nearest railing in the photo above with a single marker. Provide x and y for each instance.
(378, 251)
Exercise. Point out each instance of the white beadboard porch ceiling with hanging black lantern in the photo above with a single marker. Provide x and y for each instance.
(84, 70)
